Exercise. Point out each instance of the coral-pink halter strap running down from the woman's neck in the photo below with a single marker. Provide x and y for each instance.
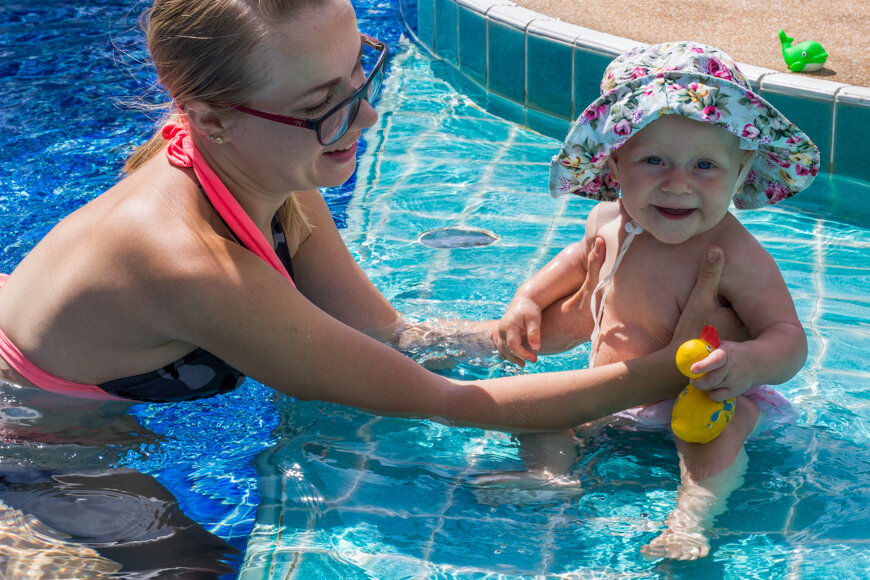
(182, 153)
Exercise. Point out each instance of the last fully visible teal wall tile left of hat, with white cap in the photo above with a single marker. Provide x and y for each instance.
(549, 62)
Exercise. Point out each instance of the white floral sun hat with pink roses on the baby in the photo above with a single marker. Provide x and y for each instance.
(699, 82)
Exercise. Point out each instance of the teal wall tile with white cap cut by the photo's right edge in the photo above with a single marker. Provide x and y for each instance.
(851, 125)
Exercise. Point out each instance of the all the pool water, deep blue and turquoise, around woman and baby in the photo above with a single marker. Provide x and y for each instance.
(311, 490)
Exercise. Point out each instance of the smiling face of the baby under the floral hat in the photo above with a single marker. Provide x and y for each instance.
(677, 176)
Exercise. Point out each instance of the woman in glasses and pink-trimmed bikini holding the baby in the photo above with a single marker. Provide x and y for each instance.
(152, 295)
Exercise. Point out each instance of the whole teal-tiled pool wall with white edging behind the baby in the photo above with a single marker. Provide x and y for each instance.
(520, 59)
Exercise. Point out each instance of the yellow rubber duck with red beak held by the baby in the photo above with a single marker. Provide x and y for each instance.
(696, 418)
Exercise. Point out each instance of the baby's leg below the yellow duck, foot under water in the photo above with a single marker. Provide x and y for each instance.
(709, 473)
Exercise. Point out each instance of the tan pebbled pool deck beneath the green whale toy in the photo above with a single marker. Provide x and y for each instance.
(747, 30)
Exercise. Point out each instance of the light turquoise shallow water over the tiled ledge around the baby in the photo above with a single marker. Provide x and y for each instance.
(361, 496)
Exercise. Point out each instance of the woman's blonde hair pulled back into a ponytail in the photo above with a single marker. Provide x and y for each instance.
(204, 50)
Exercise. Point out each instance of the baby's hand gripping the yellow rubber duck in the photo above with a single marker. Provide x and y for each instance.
(727, 376)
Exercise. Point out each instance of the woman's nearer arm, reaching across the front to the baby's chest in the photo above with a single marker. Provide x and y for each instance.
(254, 320)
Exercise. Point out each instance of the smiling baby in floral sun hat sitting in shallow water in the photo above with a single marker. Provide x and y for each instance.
(675, 138)
